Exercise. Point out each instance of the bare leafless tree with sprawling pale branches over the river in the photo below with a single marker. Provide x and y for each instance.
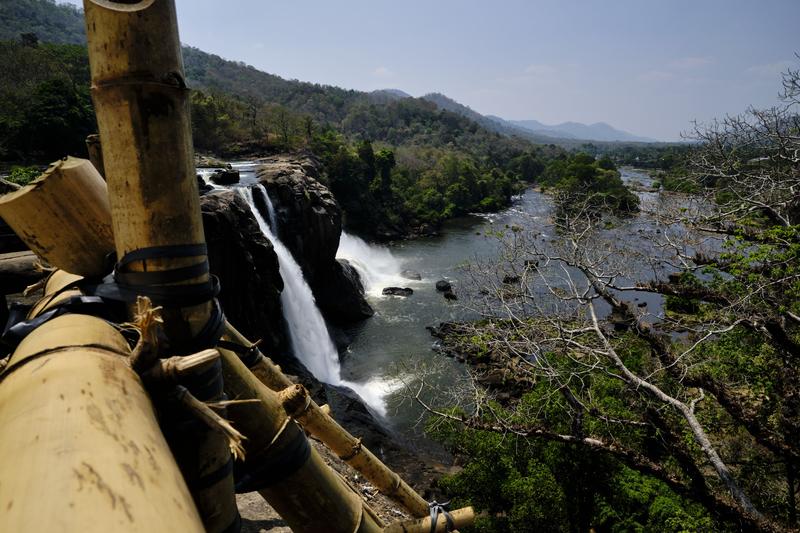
(562, 309)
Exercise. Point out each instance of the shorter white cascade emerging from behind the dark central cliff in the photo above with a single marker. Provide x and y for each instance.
(376, 265)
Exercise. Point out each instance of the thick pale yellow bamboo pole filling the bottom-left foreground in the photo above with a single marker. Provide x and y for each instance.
(80, 448)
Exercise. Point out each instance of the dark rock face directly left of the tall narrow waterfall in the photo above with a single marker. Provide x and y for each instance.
(247, 268)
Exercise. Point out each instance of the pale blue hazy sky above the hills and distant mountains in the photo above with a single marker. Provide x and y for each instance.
(646, 66)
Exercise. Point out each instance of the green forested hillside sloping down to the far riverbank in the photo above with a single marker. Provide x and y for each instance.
(417, 162)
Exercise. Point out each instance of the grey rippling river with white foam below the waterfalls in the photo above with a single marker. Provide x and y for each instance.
(394, 346)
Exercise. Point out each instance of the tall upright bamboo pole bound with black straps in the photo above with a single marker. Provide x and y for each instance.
(142, 107)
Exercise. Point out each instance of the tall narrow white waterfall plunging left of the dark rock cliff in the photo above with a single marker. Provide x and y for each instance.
(311, 342)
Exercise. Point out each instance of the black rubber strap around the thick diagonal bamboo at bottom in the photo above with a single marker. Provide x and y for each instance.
(274, 468)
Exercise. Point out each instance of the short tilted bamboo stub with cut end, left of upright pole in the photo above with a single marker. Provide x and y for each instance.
(63, 216)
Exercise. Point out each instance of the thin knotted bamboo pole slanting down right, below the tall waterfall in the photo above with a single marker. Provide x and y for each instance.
(317, 421)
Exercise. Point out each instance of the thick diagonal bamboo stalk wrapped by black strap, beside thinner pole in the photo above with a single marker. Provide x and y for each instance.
(311, 498)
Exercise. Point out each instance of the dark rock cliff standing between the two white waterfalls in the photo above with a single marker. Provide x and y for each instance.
(310, 224)
